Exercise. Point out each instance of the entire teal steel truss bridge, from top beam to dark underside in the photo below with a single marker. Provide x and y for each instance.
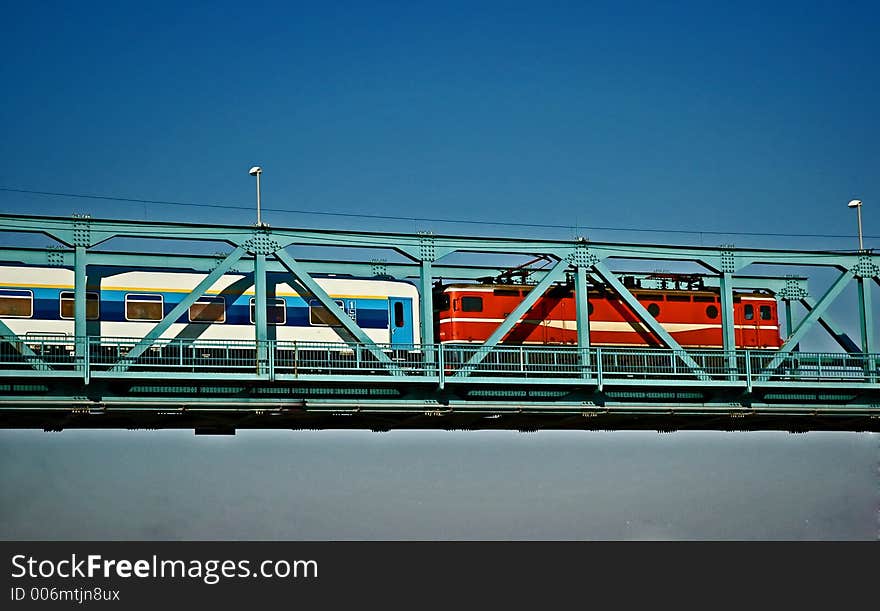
(90, 381)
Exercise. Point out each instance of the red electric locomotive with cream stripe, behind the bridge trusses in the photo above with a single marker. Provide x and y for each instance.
(469, 313)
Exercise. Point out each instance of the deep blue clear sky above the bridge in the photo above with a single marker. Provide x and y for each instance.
(690, 116)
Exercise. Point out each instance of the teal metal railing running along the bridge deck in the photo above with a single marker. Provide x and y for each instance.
(54, 355)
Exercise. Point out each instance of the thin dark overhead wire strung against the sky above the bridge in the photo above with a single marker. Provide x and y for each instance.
(424, 219)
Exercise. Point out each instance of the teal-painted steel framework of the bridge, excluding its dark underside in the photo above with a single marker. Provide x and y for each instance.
(83, 372)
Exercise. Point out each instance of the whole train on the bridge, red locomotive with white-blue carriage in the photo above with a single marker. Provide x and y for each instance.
(38, 301)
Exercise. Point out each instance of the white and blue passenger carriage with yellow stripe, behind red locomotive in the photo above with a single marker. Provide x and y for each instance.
(39, 301)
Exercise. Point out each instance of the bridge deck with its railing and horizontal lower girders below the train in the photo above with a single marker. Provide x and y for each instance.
(529, 387)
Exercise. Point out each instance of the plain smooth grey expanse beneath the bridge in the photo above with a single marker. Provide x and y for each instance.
(438, 485)
